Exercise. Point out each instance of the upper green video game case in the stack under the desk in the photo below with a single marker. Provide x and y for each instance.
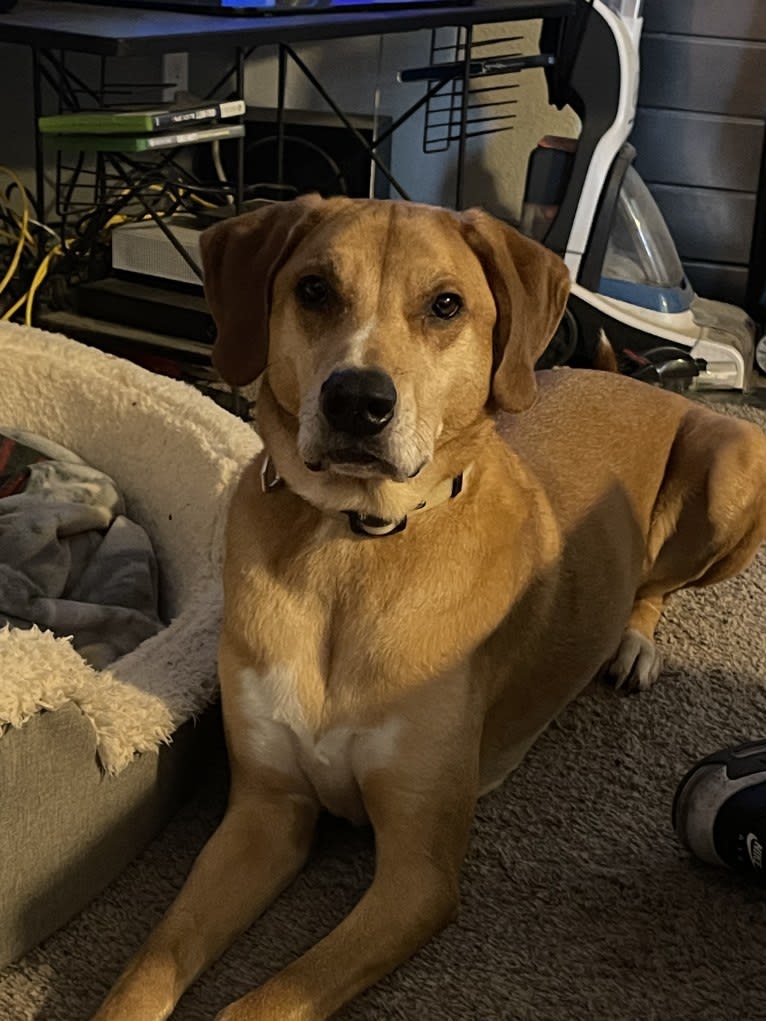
(136, 122)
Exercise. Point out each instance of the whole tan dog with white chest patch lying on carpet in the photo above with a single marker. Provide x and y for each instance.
(418, 582)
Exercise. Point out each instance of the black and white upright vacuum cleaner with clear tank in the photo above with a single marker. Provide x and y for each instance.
(587, 202)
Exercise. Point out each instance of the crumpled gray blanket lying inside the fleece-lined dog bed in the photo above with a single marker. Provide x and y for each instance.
(71, 561)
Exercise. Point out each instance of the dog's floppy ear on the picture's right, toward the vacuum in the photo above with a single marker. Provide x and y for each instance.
(531, 285)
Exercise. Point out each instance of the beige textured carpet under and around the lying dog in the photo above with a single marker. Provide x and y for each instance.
(579, 903)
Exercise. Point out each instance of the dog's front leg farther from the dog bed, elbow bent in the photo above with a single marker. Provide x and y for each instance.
(421, 807)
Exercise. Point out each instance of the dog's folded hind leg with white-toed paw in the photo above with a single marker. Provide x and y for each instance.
(708, 524)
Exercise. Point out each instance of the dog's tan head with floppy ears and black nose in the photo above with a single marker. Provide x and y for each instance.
(386, 326)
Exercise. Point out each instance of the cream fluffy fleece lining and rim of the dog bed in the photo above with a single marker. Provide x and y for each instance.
(175, 455)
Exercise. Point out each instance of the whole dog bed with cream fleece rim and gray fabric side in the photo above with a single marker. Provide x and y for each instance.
(93, 762)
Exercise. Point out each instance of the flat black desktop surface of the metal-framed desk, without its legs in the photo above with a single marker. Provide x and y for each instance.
(132, 32)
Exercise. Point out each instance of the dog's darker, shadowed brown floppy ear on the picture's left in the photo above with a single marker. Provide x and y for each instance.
(241, 257)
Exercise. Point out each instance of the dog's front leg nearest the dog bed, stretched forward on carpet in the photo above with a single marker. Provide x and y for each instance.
(259, 848)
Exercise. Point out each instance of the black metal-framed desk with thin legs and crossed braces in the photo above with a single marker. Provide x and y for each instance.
(113, 32)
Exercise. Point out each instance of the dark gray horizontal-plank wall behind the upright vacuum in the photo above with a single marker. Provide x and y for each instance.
(700, 131)
